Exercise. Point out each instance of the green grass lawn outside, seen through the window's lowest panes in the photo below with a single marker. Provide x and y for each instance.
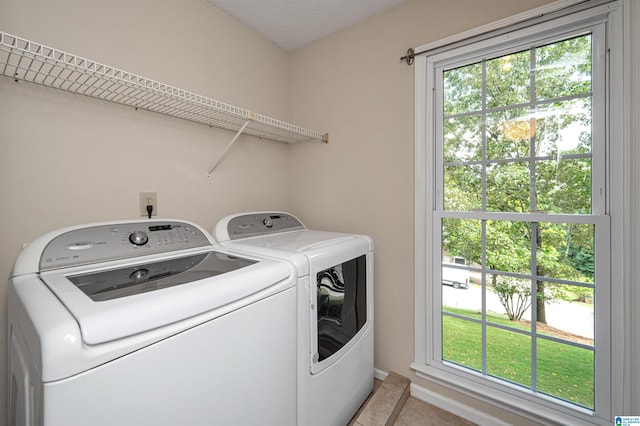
(563, 371)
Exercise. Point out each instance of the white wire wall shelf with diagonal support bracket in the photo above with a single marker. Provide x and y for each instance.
(25, 60)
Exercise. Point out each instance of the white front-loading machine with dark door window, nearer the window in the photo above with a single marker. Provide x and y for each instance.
(335, 308)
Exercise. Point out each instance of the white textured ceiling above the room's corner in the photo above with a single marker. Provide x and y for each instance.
(290, 24)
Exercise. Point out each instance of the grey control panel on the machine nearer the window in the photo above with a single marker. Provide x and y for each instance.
(255, 224)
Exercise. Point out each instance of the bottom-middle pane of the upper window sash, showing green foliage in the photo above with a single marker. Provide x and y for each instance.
(508, 188)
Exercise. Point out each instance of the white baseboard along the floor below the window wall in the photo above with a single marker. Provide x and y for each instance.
(448, 404)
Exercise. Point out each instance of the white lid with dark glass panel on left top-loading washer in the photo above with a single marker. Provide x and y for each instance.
(120, 300)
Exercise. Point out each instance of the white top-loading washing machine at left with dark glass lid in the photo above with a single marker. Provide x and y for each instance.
(149, 323)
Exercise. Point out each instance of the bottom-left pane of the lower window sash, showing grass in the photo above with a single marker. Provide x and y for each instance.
(463, 342)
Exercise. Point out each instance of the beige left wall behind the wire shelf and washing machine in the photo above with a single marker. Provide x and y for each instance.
(66, 159)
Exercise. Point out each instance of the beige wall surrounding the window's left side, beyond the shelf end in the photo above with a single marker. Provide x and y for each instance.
(354, 85)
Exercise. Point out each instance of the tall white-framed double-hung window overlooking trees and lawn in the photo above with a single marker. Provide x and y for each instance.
(515, 172)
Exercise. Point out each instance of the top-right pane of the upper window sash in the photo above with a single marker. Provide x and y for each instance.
(563, 68)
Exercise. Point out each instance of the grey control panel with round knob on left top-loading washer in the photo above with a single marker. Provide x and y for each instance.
(101, 243)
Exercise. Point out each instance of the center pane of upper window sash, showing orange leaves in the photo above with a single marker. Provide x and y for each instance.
(508, 134)
